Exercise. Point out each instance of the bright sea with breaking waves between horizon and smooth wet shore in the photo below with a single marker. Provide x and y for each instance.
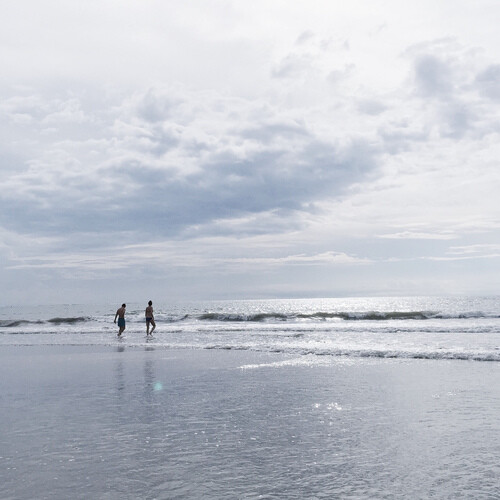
(417, 327)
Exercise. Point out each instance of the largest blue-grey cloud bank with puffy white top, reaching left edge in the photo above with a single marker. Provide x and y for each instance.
(162, 173)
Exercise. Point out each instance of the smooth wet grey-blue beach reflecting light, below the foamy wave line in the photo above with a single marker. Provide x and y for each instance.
(146, 422)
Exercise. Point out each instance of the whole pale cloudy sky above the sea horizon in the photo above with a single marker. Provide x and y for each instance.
(221, 149)
